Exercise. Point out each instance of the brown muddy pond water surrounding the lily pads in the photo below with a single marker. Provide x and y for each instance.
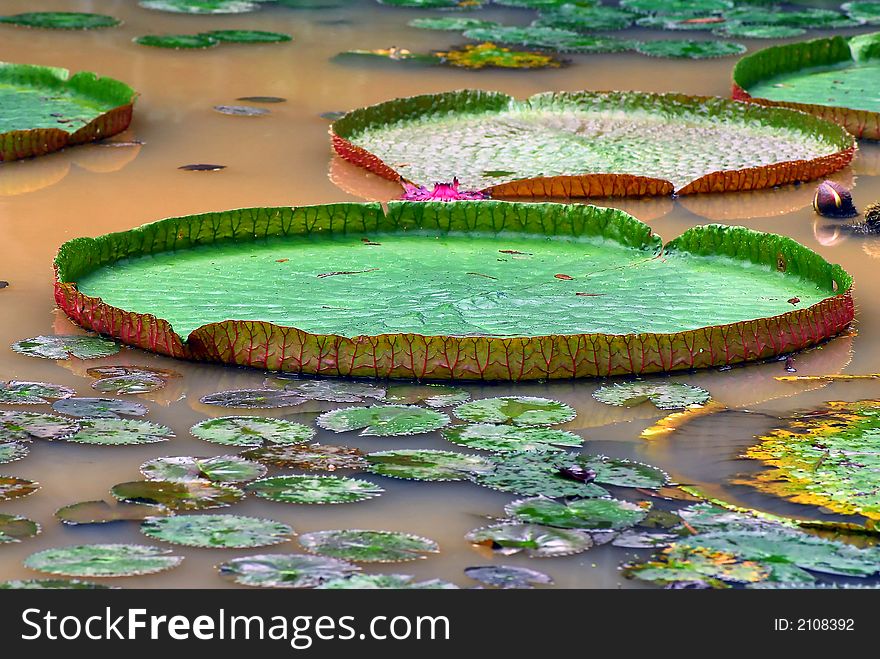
(284, 159)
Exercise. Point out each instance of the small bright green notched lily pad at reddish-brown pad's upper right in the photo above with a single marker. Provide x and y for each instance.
(383, 420)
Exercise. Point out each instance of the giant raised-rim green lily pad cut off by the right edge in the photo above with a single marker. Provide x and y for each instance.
(833, 78)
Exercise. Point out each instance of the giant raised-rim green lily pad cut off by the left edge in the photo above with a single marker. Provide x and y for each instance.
(47, 109)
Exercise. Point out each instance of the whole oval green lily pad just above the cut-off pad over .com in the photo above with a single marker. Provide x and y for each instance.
(369, 546)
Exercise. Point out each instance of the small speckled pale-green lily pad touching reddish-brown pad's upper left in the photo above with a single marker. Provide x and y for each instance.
(251, 431)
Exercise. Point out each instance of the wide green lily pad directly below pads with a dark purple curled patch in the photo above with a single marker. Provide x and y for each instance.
(590, 514)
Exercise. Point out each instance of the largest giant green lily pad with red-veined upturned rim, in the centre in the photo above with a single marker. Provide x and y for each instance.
(439, 294)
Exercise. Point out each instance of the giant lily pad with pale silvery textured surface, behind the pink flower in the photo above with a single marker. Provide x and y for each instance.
(584, 144)
